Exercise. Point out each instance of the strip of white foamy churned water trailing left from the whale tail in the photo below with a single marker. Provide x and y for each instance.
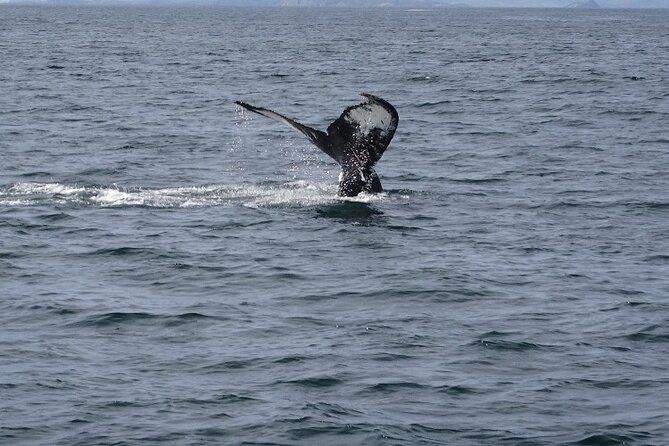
(295, 193)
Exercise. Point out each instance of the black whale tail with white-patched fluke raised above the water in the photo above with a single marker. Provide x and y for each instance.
(356, 140)
